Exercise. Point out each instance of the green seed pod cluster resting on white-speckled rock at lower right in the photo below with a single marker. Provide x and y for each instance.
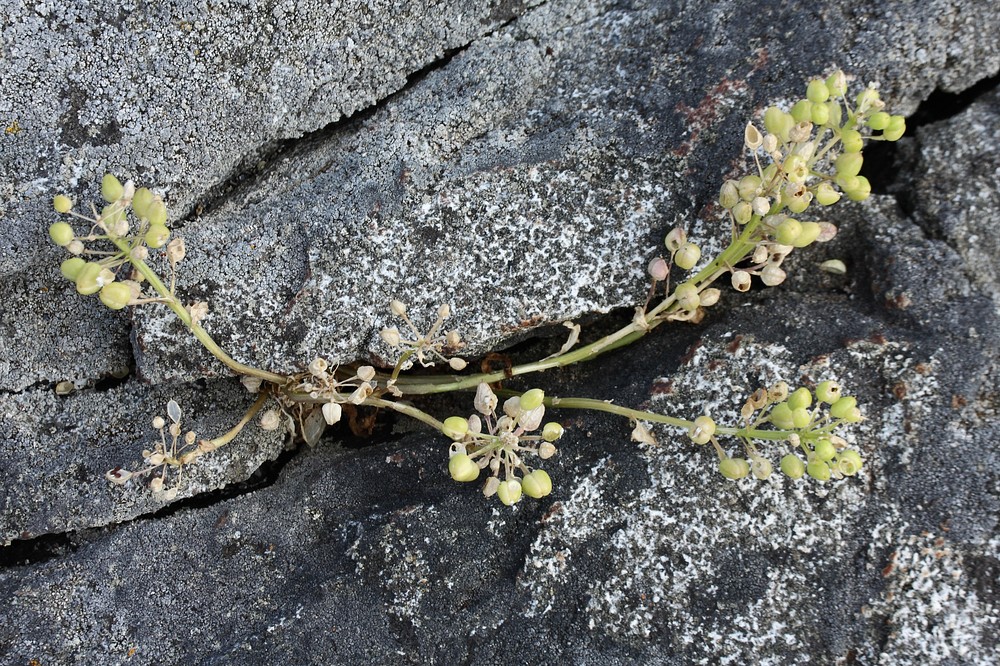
(808, 420)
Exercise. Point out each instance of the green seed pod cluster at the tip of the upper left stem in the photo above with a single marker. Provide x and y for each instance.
(98, 272)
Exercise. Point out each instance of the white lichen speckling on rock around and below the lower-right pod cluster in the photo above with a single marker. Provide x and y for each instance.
(731, 572)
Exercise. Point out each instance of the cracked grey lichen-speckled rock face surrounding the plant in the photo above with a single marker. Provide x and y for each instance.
(521, 163)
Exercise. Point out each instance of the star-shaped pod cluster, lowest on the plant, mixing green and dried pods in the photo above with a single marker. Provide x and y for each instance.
(503, 445)
